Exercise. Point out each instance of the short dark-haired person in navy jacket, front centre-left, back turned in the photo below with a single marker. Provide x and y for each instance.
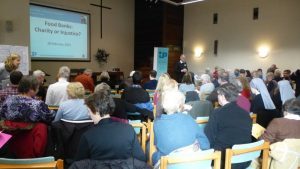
(107, 140)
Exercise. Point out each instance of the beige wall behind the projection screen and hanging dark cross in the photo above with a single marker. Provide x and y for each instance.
(118, 32)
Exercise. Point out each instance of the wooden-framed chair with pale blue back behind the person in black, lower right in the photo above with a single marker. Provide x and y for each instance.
(247, 152)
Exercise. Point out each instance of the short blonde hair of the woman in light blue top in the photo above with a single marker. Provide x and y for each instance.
(75, 90)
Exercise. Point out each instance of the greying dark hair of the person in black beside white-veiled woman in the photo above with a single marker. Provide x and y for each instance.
(230, 92)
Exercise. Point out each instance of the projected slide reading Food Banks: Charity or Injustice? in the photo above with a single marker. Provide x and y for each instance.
(58, 34)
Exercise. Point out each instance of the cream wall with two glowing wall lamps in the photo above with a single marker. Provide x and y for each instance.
(239, 36)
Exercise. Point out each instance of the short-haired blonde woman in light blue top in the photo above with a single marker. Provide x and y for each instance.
(73, 109)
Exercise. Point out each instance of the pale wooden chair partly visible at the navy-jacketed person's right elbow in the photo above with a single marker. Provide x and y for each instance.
(138, 127)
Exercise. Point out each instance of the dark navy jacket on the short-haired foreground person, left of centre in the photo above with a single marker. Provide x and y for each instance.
(109, 140)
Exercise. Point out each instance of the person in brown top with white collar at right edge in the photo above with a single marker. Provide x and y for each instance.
(286, 127)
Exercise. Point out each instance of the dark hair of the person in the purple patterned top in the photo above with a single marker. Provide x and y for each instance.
(28, 83)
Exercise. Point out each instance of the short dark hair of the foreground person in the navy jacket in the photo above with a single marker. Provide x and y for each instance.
(101, 102)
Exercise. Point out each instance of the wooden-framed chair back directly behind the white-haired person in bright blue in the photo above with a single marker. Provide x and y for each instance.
(201, 159)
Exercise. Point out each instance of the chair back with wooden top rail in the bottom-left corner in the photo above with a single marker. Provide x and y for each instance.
(35, 163)
